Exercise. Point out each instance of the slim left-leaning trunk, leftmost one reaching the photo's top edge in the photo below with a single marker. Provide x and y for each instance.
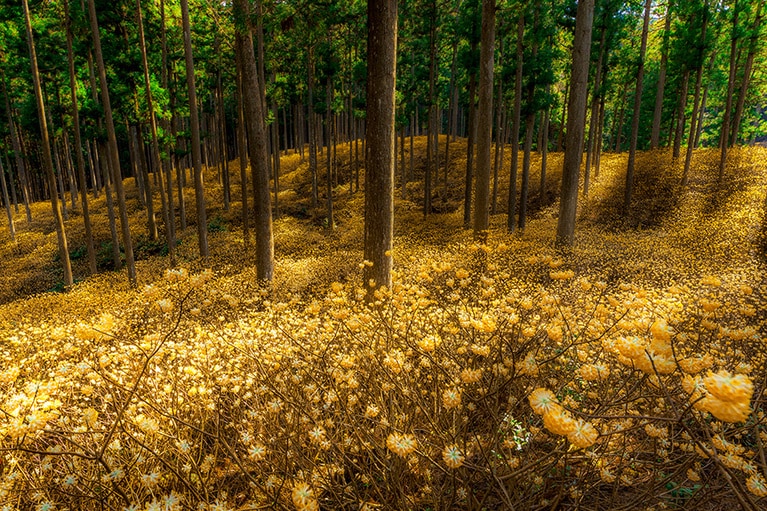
(46, 148)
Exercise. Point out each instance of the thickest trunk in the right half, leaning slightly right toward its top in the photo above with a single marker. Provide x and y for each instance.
(576, 118)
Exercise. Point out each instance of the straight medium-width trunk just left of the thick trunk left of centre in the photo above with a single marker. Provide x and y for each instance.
(202, 222)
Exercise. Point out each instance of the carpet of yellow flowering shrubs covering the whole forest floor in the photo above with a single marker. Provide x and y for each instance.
(626, 373)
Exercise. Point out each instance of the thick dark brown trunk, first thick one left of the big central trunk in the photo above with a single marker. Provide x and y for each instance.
(254, 117)
